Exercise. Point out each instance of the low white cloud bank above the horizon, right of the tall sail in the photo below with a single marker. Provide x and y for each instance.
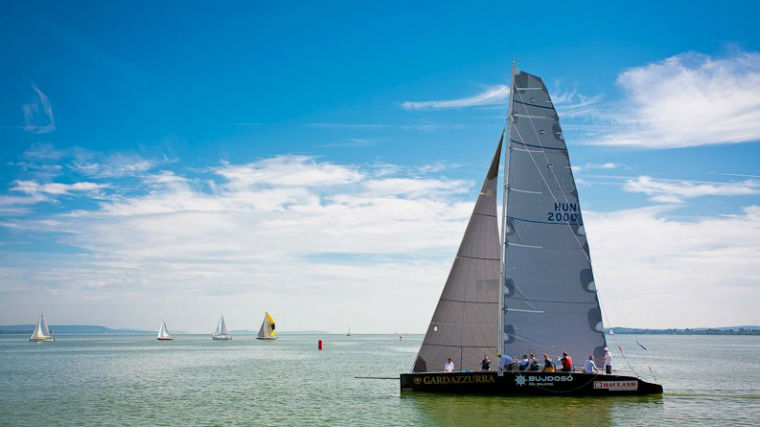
(656, 272)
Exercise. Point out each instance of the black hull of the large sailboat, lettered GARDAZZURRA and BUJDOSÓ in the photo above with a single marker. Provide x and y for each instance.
(527, 383)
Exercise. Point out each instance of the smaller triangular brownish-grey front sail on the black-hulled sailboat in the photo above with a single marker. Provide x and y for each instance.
(465, 322)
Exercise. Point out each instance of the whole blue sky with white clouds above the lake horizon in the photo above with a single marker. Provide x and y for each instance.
(320, 160)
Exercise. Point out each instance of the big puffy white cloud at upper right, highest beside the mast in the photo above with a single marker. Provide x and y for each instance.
(688, 100)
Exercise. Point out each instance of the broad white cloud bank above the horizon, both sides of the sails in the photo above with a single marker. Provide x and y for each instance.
(303, 238)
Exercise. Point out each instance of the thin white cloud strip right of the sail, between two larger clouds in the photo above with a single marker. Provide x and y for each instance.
(675, 191)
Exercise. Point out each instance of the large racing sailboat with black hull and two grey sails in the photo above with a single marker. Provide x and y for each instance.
(530, 290)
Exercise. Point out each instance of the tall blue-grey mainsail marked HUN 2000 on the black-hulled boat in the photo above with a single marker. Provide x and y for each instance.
(550, 300)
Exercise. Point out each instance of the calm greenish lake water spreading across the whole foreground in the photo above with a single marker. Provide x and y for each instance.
(136, 380)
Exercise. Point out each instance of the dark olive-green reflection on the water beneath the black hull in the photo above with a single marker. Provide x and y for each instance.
(521, 411)
